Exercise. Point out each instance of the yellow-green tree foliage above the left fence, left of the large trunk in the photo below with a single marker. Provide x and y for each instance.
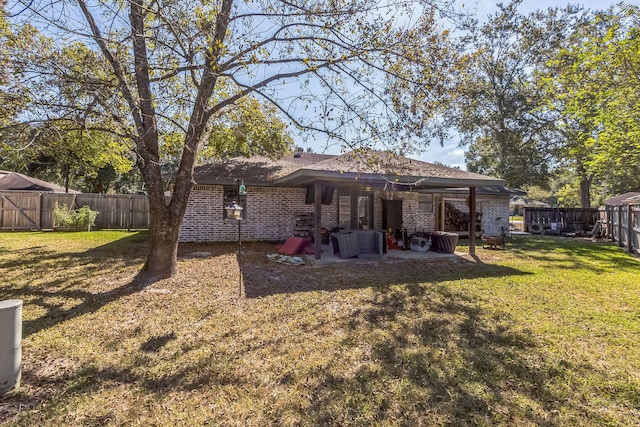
(72, 145)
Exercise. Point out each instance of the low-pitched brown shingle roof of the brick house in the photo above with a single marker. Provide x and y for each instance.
(368, 167)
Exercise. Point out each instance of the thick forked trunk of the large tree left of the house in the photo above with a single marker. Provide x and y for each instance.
(166, 219)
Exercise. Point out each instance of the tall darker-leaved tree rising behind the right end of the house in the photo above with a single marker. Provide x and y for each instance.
(498, 103)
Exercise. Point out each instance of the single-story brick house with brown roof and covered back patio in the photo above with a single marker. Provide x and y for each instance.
(368, 190)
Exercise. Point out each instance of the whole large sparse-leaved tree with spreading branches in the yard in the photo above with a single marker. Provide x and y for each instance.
(178, 68)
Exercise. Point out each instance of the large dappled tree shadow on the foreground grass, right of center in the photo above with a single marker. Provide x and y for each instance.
(445, 361)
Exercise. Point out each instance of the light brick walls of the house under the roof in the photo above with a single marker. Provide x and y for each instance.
(271, 213)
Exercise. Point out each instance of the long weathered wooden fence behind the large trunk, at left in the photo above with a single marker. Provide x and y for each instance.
(34, 210)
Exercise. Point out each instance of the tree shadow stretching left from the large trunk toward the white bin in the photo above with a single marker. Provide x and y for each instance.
(46, 296)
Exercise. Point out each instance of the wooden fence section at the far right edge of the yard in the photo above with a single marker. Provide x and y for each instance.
(623, 226)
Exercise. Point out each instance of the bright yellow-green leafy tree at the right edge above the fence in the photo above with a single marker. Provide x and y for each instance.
(593, 86)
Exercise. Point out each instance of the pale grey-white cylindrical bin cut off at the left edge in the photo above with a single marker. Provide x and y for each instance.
(10, 344)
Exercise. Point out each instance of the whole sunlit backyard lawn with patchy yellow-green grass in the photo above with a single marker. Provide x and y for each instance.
(544, 333)
